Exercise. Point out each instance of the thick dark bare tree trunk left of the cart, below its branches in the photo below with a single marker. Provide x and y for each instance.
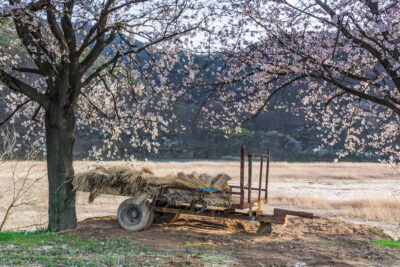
(60, 137)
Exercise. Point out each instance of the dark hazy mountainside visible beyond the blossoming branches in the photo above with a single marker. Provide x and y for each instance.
(288, 136)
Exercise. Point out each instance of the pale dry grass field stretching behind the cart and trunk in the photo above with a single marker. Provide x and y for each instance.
(355, 192)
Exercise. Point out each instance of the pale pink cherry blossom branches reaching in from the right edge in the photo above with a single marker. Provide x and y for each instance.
(339, 58)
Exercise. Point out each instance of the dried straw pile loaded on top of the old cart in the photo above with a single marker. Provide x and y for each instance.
(123, 180)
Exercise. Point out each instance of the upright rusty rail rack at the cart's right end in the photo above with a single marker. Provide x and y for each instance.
(246, 191)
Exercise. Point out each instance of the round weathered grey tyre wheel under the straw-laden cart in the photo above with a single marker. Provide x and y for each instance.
(133, 216)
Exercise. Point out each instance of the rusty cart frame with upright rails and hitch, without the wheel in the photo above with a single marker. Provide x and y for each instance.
(196, 207)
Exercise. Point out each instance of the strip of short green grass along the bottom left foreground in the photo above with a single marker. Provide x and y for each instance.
(49, 249)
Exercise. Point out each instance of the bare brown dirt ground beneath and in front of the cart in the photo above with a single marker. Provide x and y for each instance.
(301, 242)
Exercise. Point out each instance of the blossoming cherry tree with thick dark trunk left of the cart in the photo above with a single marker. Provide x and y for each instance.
(75, 66)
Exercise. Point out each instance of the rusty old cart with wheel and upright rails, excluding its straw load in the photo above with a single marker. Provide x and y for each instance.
(248, 200)
